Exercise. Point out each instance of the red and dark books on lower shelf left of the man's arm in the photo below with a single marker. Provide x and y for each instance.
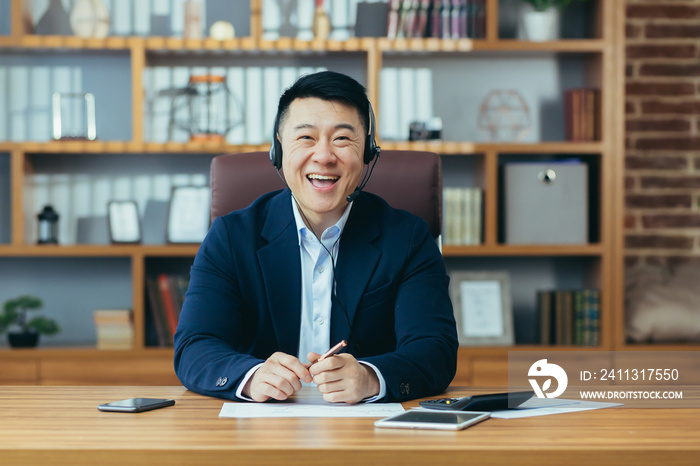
(166, 293)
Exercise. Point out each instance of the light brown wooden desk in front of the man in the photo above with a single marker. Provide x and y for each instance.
(61, 425)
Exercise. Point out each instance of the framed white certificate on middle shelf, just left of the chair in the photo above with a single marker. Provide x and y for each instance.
(188, 214)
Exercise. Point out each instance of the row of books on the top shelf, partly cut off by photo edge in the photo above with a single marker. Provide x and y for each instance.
(445, 19)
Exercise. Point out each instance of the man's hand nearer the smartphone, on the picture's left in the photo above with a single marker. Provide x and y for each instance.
(278, 378)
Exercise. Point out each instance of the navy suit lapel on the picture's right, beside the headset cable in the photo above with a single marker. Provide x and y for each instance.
(357, 259)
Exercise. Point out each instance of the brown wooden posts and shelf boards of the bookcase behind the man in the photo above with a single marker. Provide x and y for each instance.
(604, 68)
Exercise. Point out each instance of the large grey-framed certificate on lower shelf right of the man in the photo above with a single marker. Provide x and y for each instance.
(483, 308)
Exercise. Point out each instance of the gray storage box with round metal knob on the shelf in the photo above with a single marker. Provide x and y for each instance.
(546, 203)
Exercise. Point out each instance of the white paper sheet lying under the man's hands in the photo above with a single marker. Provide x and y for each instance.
(309, 403)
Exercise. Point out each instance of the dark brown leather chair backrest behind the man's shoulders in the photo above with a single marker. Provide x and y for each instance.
(408, 180)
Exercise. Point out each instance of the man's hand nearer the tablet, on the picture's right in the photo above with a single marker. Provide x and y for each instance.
(341, 378)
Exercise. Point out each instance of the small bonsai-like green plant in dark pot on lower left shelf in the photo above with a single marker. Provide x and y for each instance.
(24, 332)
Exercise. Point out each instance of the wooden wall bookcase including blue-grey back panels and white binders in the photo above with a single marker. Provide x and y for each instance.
(137, 157)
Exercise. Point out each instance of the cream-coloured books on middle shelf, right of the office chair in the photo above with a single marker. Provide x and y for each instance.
(462, 213)
